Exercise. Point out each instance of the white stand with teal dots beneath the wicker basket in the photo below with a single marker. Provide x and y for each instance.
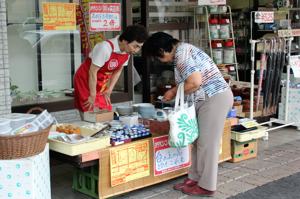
(26, 177)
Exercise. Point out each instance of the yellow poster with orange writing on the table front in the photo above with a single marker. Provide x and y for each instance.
(129, 162)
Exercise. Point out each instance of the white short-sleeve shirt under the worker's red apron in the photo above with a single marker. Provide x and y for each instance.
(102, 52)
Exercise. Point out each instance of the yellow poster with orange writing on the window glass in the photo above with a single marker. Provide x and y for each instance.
(59, 16)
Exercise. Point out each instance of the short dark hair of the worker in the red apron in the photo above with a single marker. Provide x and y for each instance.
(134, 33)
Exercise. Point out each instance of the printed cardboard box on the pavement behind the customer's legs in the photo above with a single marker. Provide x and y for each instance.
(243, 150)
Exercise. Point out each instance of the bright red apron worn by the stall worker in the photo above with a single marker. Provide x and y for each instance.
(81, 80)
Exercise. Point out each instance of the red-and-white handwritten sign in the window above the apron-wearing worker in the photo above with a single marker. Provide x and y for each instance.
(105, 16)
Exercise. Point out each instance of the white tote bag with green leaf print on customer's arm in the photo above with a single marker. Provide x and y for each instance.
(183, 122)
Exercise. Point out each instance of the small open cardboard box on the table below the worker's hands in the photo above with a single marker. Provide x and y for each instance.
(101, 116)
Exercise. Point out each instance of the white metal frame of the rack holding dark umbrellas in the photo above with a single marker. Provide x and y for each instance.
(284, 122)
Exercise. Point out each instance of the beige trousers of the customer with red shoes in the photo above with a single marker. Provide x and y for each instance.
(211, 115)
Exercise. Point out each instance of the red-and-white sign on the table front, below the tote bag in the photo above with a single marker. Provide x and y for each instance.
(167, 159)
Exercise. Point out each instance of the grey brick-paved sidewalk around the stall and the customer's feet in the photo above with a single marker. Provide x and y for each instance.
(278, 157)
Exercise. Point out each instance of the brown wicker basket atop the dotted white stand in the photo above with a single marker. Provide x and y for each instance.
(24, 145)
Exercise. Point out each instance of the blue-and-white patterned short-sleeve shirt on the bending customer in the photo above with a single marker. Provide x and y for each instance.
(189, 59)
